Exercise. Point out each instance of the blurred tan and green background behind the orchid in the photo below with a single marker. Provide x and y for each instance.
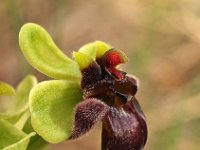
(161, 38)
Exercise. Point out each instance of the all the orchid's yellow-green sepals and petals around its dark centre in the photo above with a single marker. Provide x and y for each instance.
(52, 103)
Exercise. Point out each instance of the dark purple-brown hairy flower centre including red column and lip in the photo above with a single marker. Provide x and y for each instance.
(109, 96)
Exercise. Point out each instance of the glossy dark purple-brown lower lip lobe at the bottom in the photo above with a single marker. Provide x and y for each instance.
(124, 128)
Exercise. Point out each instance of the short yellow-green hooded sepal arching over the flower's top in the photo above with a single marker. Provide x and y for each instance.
(95, 49)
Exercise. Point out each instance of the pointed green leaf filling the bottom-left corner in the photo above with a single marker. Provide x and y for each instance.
(12, 138)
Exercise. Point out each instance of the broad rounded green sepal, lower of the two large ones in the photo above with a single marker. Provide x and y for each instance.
(51, 105)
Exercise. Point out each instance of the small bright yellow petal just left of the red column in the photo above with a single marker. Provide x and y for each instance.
(102, 48)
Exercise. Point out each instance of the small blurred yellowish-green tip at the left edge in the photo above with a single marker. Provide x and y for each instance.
(6, 89)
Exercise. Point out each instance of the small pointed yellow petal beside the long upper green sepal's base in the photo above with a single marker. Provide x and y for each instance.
(82, 59)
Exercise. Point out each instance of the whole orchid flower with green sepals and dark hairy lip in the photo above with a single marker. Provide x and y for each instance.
(87, 90)
